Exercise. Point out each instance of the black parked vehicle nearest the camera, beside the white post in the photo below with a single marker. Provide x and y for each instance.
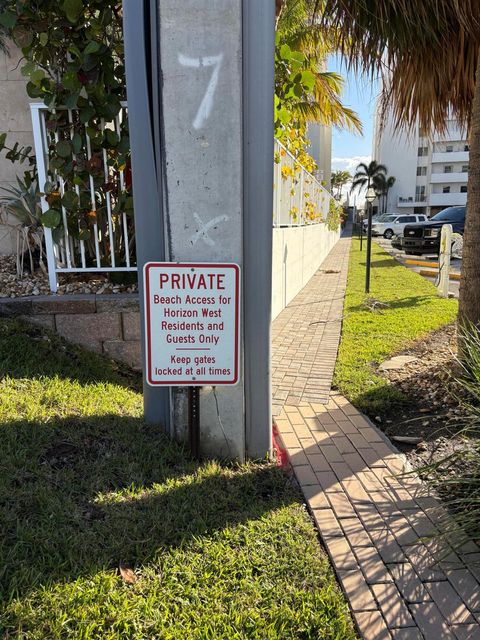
(425, 238)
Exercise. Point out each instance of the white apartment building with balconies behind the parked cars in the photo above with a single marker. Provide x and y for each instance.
(431, 171)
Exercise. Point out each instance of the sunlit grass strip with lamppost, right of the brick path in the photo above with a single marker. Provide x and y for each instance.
(368, 338)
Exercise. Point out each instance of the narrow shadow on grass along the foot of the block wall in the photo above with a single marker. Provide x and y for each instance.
(30, 351)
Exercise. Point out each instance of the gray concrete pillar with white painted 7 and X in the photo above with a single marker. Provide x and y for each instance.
(210, 162)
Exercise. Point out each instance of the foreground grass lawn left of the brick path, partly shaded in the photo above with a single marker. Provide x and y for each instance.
(218, 551)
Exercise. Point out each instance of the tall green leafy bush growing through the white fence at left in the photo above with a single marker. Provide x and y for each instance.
(73, 61)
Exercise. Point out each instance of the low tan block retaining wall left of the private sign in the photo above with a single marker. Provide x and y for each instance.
(108, 324)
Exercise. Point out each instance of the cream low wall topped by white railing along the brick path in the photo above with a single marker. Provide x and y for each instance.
(297, 253)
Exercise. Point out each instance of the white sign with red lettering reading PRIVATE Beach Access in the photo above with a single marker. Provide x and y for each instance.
(192, 316)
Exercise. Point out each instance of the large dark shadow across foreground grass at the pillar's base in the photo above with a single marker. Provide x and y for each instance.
(78, 496)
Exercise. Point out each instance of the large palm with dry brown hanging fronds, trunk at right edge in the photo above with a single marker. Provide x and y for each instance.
(429, 56)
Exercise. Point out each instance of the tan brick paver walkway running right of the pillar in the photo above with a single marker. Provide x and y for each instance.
(401, 584)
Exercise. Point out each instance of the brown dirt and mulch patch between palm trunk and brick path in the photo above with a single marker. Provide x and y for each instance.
(432, 411)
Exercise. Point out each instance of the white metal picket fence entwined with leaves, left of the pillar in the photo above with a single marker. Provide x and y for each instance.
(107, 243)
